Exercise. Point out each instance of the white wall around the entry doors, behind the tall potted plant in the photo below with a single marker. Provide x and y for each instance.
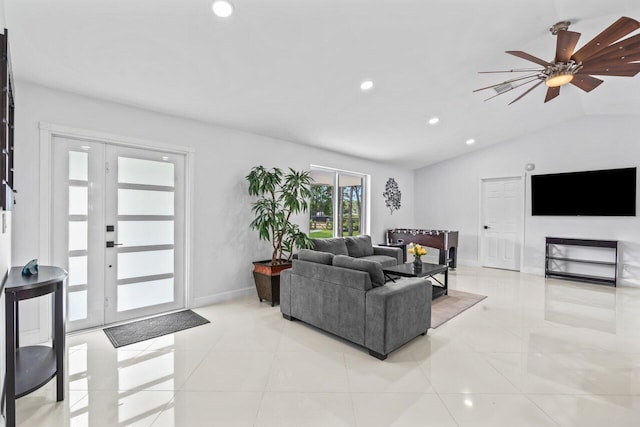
(223, 244)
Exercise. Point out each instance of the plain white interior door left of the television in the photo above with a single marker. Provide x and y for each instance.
(501, 223)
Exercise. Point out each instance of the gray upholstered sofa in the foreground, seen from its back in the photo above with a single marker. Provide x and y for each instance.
(349, 298)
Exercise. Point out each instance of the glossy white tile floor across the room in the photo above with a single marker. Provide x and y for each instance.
(535, 353)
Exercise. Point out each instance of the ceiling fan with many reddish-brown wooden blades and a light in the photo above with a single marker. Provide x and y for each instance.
(605, 55)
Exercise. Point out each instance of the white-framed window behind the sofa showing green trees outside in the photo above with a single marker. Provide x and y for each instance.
(338, 203)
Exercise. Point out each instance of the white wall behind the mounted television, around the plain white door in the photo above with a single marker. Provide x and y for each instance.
(447, 194)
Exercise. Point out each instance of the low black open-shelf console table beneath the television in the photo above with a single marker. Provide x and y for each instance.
(559, 241)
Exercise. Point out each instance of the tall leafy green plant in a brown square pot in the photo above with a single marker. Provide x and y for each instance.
(279, 196)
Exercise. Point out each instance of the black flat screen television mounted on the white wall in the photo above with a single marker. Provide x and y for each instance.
(610, 192)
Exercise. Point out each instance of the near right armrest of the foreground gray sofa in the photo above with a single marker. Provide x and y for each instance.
(397, 313)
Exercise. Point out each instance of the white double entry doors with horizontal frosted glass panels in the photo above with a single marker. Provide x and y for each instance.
(118, 229)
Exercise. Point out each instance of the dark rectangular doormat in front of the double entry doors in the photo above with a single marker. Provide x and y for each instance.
(153, 328)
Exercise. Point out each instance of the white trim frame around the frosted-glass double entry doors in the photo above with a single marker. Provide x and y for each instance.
(49, 131)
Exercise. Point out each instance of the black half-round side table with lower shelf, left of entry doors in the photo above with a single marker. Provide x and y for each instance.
(31, 367)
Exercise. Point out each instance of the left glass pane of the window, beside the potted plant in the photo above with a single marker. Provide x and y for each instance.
(321, 207)
